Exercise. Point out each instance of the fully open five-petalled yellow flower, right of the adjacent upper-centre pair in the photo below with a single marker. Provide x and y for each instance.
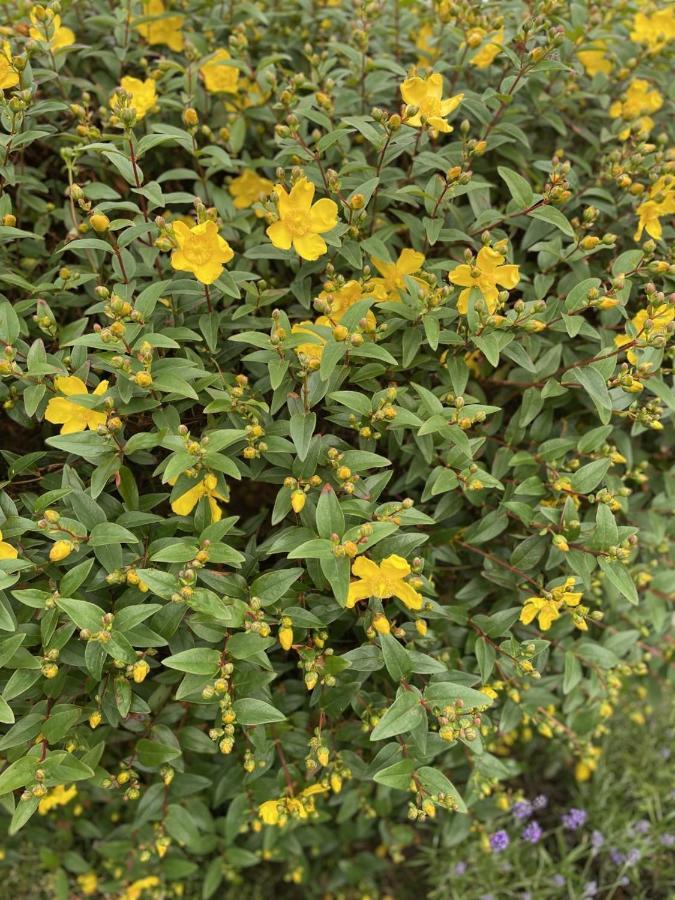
(300, 222)
